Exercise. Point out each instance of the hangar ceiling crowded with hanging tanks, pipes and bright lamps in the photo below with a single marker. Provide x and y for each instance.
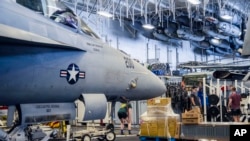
(215, 26)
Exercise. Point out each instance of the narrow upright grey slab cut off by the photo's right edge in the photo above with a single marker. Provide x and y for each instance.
(246, 45)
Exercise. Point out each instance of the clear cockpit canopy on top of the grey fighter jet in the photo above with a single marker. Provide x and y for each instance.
(60, 13)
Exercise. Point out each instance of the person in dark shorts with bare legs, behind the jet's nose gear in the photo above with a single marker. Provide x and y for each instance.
(125, 115)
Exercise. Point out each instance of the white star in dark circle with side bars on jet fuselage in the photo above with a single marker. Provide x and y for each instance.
(72, 73)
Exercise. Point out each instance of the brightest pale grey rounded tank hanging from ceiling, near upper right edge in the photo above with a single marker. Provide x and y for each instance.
(229, 29)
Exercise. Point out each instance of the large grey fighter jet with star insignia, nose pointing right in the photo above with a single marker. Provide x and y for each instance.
(49, 58)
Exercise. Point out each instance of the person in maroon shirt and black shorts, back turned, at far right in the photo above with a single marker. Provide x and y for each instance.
(234, 104)
